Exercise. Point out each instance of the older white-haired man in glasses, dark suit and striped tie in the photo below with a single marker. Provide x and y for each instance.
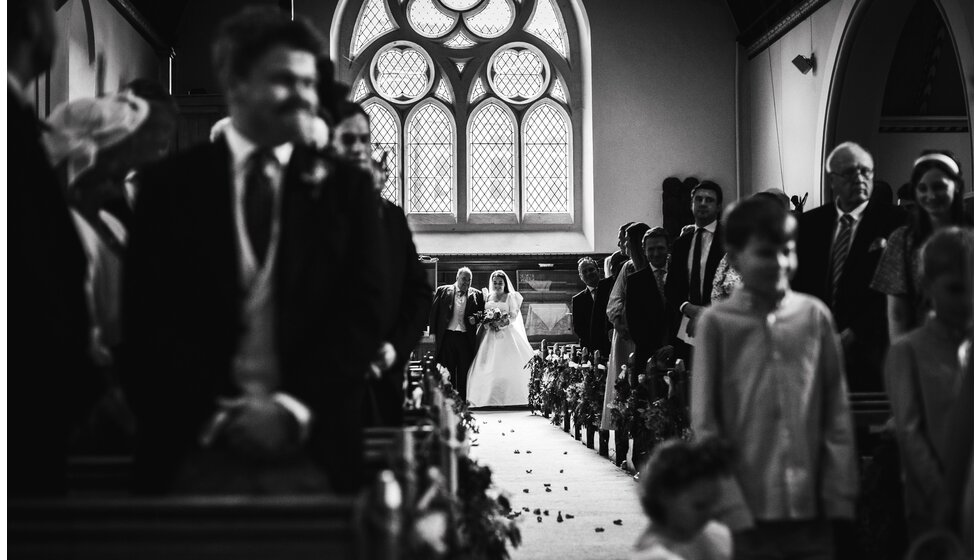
(839, 246)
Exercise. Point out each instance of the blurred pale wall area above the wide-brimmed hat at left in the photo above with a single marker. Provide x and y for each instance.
(98, 52)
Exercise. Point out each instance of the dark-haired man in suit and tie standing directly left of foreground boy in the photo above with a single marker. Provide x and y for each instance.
(696, 255)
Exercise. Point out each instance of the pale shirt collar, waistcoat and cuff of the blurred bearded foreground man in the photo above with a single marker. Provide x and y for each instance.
(256, 364)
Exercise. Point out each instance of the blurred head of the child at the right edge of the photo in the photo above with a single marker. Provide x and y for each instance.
(945, 264)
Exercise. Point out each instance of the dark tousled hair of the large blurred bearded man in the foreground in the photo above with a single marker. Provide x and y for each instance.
(243, 38)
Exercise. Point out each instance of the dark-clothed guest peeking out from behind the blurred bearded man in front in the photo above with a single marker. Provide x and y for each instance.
(408, 292)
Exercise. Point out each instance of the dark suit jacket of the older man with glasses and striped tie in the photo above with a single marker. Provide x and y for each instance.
(858, 307)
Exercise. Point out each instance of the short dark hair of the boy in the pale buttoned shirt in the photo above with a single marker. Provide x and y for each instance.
(757, 216)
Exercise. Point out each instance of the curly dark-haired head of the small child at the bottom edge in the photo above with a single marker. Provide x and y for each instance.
(680, 484)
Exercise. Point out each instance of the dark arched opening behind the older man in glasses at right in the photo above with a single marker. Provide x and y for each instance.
(900, 87)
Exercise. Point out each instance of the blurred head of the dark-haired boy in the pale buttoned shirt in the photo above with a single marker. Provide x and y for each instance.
(760, 237)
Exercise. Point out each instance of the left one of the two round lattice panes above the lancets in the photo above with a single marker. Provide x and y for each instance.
(402, 72)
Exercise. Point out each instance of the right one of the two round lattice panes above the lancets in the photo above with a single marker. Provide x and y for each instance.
(518, 73)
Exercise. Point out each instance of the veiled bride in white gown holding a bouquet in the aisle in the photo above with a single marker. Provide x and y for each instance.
(497, 376)
